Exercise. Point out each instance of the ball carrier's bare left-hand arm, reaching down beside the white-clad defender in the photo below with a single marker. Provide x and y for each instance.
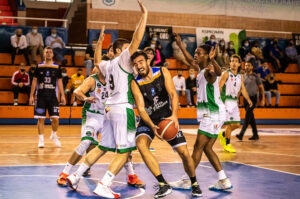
(139, 100)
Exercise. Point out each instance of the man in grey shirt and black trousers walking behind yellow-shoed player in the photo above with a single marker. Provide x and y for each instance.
(252, 83)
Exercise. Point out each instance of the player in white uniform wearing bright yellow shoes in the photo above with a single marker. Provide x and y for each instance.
(231, 83)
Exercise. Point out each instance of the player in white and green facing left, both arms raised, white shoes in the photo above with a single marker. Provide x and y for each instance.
(210, 113)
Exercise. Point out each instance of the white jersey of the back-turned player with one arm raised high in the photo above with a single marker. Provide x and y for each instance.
(119, 74)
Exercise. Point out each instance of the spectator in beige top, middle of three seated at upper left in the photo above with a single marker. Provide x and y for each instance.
(35, 44)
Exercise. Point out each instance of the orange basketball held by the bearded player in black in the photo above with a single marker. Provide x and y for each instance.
(167, 129)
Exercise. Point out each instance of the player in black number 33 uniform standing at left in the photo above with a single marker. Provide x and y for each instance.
(46, 76)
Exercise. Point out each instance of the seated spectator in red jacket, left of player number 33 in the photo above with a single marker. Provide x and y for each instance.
(21, 83)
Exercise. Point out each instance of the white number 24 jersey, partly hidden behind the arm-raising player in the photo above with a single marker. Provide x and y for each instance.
(101, 93)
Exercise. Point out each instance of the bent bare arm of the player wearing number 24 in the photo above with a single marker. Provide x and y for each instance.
(87, 85)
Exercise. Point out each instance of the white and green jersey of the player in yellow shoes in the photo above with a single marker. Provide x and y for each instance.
(231, 87)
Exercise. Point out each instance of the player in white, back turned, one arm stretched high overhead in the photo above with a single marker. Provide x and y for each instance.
(119, 123)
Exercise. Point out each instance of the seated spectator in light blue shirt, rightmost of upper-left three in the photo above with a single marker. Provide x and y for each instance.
(57, 45)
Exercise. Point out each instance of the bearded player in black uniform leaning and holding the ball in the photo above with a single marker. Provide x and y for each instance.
(151, 91)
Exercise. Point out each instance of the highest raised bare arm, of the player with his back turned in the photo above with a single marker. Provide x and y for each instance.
(140, 30)
